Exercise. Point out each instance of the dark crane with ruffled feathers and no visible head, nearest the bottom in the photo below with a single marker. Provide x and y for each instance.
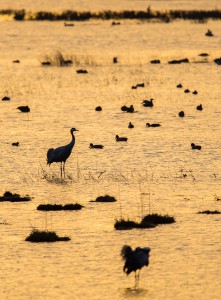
(135, 260)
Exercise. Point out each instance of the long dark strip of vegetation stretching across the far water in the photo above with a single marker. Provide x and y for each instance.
(149, 14)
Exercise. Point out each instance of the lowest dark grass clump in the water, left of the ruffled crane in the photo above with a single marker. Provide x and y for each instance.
(38, 236)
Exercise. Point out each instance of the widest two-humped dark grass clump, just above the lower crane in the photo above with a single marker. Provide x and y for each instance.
(149, 221)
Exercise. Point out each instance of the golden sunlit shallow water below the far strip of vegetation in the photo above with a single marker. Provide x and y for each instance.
(146, 174)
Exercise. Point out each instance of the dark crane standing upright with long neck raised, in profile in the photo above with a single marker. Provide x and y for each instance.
(62, 153)
